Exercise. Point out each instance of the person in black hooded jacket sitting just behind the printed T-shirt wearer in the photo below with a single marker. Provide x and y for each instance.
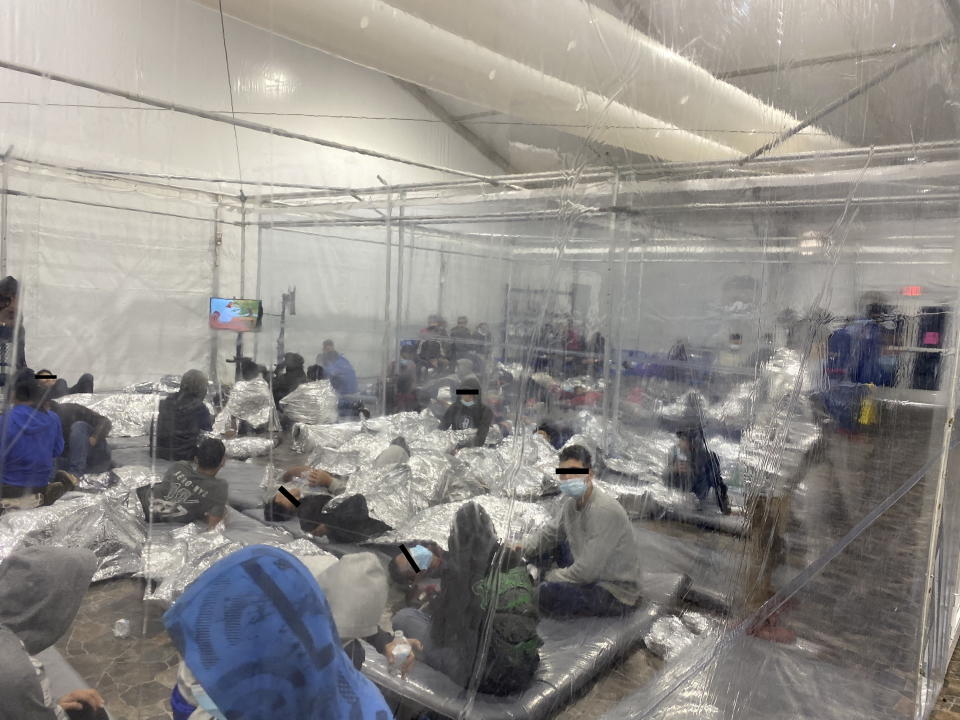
(182, 417)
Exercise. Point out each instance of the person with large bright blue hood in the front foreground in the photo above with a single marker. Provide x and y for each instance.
(286, 659)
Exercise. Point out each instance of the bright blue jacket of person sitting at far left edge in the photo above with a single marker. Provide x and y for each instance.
(31, 439)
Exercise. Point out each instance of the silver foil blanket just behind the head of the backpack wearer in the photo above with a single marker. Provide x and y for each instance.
(512, 520)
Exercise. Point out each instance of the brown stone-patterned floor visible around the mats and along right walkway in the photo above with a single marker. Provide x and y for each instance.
(861, 611)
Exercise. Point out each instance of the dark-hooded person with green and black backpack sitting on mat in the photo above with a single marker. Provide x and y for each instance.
(450, 629)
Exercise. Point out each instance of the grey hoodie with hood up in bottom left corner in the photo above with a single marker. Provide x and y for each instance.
(40, 592)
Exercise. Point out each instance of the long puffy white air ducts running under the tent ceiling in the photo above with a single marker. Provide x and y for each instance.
(592, 74)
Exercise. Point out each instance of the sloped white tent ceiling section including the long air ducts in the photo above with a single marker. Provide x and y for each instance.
(548, 84)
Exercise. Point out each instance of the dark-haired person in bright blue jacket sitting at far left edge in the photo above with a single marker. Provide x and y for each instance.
(30, 439)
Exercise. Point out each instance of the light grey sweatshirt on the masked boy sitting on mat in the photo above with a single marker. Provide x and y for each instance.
(601, 539)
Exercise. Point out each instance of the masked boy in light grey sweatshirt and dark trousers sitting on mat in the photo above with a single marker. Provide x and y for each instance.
(593, 544)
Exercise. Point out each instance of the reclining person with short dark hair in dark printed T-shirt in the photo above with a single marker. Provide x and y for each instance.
(190, 492)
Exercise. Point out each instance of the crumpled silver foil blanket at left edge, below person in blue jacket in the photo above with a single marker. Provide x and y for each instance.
(110, 524)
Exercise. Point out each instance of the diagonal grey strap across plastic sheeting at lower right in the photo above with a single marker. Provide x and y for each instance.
(801, 579)
